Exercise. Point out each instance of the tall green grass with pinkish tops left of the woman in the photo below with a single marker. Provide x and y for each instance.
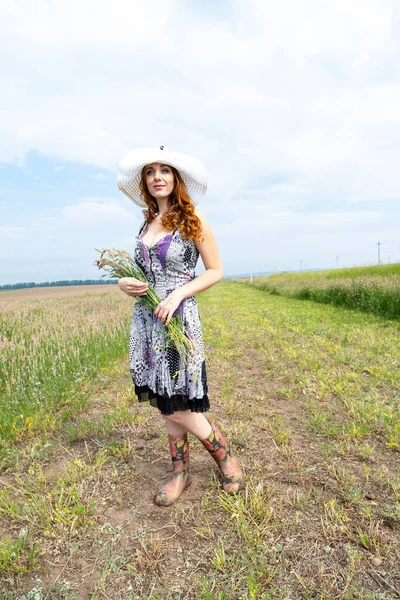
(50, 347)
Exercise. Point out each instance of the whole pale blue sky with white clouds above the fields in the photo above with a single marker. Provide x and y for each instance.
(292, 107)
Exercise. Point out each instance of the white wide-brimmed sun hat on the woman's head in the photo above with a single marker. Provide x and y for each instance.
(190, 169)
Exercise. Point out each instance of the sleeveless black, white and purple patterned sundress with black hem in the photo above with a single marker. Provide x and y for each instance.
(159, 374)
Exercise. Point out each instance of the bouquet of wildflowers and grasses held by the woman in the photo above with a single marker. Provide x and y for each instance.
(119, 263)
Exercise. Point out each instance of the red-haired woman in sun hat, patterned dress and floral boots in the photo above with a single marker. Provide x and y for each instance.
(167, 184)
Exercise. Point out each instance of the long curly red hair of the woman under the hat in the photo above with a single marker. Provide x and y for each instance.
(181, 209)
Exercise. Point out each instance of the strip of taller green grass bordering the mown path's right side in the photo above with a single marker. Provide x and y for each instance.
(369, 289)
